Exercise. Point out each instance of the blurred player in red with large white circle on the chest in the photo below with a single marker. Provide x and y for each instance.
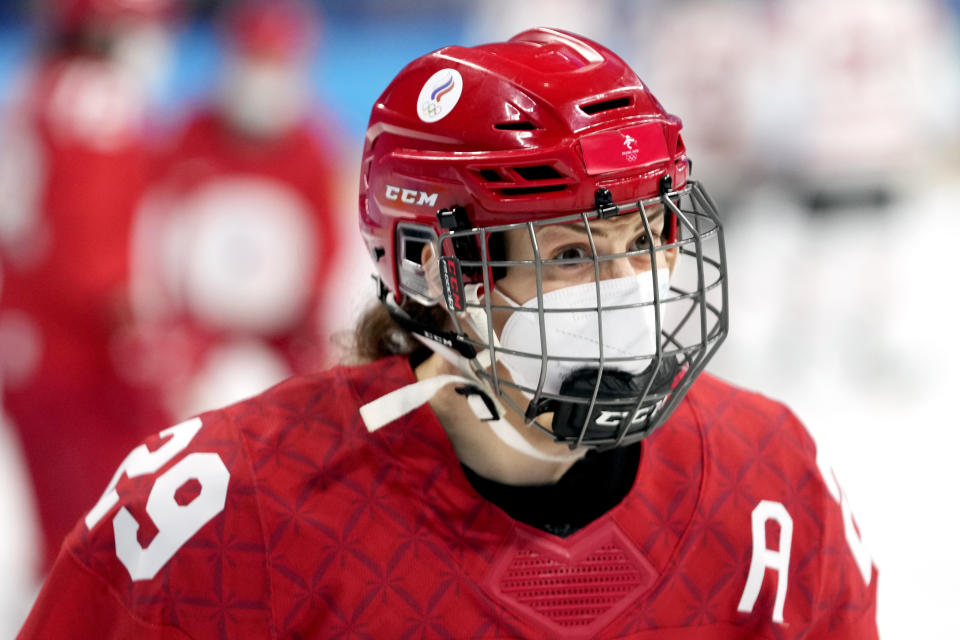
(236, 245)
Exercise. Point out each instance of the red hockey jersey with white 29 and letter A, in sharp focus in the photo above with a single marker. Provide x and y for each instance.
(283, 517)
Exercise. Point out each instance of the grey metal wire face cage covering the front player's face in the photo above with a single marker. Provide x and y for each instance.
(618, 393)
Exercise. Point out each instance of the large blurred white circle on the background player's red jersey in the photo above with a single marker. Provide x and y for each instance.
(244, 255)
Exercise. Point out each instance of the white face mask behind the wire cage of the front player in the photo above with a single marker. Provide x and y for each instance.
(627, 333)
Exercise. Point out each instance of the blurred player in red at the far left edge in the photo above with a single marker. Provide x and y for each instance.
(72, 167)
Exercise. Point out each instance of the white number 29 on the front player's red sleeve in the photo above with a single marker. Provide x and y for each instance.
(175, 523)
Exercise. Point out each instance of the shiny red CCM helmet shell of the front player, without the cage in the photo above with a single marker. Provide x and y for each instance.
(532, 127)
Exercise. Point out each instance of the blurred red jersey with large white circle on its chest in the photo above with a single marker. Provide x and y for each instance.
(235, 252)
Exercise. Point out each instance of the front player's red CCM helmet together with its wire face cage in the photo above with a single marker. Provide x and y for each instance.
(547, 128)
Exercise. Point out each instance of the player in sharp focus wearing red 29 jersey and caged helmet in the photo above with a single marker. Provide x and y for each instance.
(531, 450)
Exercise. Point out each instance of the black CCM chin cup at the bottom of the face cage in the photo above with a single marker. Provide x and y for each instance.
(616, 397)
